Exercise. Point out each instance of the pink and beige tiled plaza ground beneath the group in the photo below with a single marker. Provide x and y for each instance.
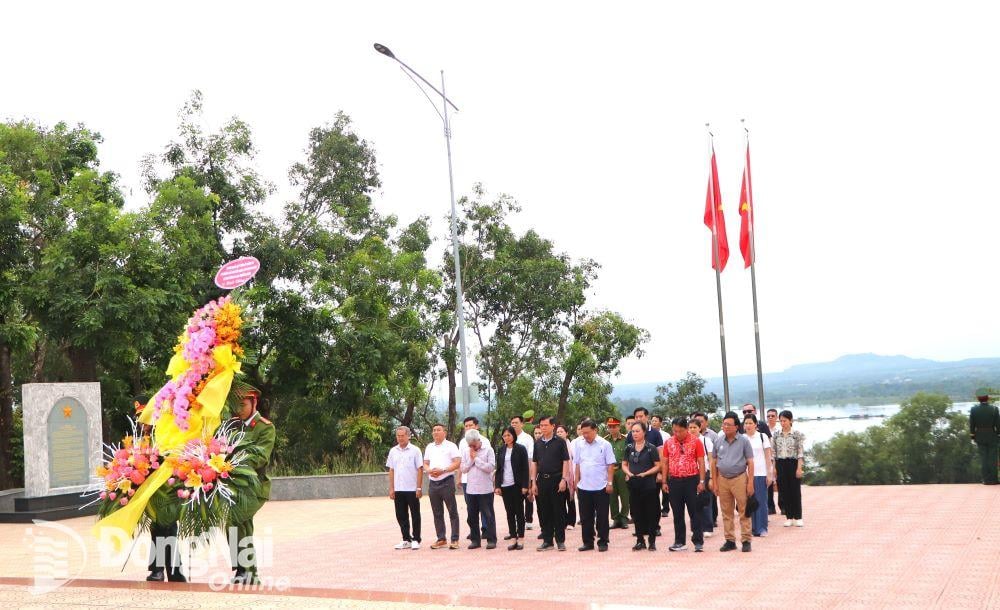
(916, 546)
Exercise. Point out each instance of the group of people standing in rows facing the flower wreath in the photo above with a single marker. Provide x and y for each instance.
(636, 476)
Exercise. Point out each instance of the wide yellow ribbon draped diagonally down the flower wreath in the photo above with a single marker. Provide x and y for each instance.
(120, 525)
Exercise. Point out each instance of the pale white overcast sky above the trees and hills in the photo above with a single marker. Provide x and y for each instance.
(874, 132)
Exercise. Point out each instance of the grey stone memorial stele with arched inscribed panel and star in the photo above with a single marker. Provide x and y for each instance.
(62, 436)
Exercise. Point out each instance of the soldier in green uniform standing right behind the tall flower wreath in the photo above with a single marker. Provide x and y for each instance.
(259, 432)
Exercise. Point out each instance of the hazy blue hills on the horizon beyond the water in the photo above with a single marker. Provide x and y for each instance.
(860, 378)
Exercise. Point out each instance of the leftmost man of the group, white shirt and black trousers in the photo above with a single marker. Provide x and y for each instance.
(406, 474)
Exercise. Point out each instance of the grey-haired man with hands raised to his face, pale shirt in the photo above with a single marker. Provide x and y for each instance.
(479, 463)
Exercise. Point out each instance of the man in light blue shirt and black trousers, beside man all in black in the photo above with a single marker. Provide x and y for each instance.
(594, 463)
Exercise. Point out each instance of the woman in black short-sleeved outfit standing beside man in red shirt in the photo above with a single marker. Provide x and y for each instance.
(641, 465)
